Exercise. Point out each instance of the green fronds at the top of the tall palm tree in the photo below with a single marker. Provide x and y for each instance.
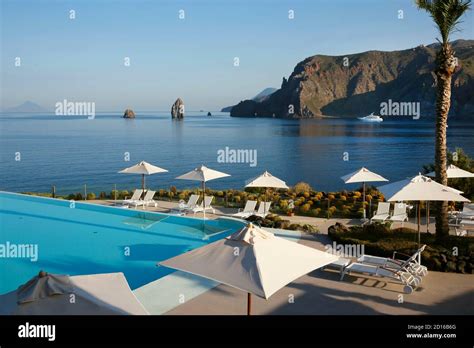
(445, 13)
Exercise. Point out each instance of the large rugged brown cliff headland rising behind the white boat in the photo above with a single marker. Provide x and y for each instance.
(357, 84)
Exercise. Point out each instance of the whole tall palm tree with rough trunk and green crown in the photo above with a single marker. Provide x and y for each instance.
(446, 14)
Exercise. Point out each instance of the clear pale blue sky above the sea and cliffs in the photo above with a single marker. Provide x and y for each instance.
(82, 59)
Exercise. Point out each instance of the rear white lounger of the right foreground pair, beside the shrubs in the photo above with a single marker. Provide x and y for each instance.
(412, 266)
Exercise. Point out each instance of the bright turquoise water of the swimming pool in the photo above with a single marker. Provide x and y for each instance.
(91, 239)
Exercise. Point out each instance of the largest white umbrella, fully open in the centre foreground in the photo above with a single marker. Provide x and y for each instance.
(252, 260)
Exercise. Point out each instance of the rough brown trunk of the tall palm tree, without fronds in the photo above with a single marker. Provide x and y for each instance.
(445, 68)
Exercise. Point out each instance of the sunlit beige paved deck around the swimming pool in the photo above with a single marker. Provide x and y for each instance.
(321, 292)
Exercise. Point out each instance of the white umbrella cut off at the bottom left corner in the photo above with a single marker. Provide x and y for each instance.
(49, 294)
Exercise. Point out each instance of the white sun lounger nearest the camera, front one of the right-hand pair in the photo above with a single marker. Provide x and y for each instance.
(409, 280)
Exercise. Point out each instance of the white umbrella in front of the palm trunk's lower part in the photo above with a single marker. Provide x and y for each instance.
(419, 188)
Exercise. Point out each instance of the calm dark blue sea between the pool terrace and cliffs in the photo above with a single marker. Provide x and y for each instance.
(70, 151)
